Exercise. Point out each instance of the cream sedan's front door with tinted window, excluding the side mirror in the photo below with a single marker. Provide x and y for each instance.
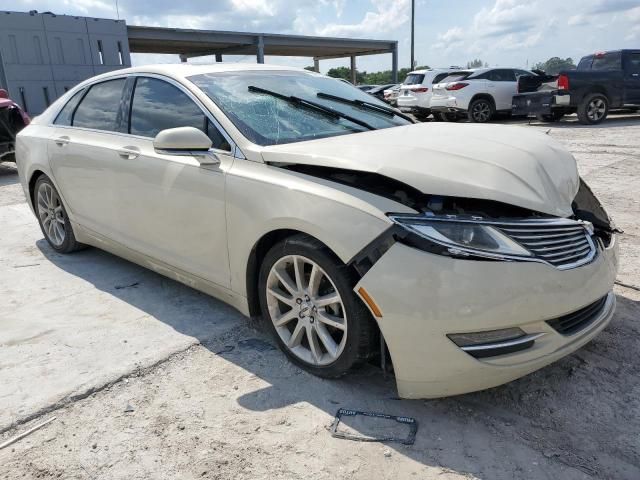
(173, 208)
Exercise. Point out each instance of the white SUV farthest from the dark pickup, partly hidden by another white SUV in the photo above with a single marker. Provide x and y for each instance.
(415, 92)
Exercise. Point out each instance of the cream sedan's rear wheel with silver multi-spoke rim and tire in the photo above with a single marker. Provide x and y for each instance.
(52, 217)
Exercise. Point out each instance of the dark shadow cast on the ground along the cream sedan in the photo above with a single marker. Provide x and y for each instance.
(579, 416)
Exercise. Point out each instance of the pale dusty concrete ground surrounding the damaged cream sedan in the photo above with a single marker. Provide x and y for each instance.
(150, 379)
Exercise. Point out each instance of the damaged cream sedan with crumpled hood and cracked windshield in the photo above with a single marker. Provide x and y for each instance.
(464, 256)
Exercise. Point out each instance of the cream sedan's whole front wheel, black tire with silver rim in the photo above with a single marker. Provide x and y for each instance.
(308, 304)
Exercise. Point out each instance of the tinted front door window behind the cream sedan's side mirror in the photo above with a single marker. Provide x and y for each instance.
(157, 105)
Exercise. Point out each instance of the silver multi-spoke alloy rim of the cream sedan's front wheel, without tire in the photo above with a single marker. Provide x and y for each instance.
(307, 310)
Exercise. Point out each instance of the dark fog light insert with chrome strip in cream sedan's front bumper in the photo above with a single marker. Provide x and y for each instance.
(494, 342)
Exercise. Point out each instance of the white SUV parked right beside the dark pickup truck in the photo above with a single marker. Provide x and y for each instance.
(476, 94)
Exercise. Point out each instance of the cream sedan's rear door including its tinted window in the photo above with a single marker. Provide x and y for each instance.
(82, 152)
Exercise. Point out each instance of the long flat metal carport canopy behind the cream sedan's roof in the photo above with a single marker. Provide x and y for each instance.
(193, 43)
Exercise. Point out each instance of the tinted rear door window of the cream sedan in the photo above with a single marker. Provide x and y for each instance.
(100, 107)
